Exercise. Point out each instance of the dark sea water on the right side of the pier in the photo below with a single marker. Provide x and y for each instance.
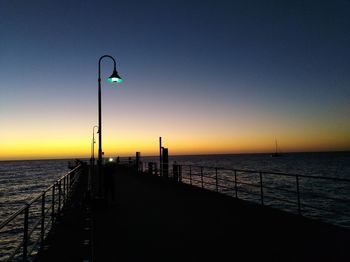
(322, 199)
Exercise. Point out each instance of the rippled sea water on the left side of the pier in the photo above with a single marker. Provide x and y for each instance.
(21, 181)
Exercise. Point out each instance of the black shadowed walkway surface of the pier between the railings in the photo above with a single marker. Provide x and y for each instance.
(152, 219)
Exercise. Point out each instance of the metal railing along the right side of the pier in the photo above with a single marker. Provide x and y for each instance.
(319, 197)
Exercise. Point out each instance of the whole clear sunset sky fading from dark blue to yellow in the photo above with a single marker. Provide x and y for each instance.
(209, 77)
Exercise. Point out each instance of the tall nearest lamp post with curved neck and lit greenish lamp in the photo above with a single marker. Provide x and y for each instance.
(114, 78)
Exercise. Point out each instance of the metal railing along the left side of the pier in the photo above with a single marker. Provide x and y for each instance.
(23, 233)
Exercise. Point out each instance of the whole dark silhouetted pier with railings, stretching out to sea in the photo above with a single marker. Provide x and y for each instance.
(140, 215)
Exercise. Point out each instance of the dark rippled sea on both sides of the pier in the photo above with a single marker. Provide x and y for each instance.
(21, 181)
